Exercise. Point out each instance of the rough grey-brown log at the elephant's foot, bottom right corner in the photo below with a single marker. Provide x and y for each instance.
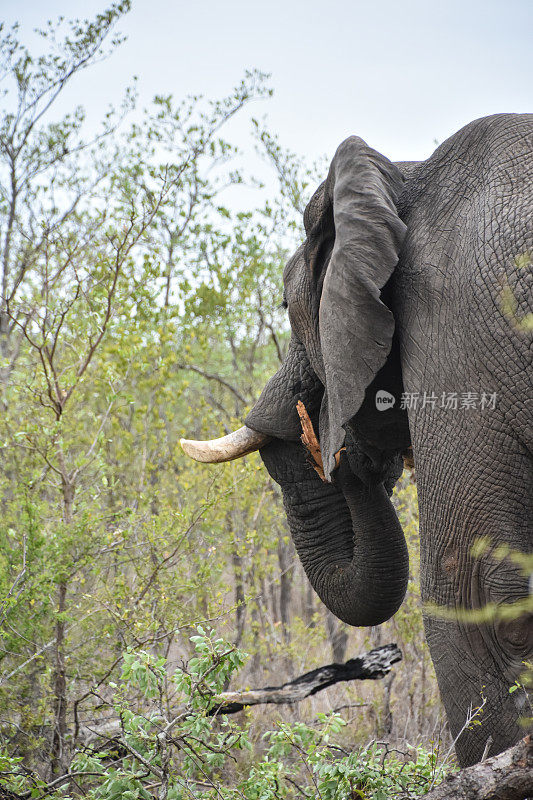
(507, 776)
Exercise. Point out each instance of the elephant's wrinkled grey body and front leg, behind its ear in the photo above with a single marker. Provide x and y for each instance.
(468, 215)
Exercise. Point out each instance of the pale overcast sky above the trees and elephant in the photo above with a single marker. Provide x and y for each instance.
(399, 74)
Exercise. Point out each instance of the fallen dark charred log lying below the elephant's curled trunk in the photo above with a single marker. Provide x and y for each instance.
(370, 666)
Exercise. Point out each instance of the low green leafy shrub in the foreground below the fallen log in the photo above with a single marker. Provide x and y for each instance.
(186, 753)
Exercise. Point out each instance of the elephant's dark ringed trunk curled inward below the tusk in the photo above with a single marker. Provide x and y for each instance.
(348, 538)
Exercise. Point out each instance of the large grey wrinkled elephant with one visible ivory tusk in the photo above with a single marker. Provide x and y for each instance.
(406, 304)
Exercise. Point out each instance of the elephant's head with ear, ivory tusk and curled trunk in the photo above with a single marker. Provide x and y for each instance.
(342, 353)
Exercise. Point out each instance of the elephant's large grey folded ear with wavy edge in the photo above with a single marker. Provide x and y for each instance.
(355, 326)
